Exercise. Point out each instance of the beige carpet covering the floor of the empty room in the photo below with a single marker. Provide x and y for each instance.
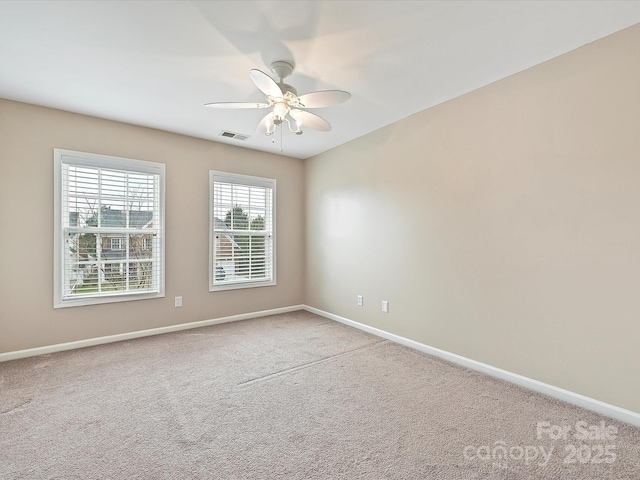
(292, 396)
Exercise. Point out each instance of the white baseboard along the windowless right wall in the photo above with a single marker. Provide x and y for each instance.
(577, 399)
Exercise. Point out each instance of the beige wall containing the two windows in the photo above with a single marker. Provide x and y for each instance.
(28, 135)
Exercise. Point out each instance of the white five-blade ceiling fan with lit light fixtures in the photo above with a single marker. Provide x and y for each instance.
(285, 104)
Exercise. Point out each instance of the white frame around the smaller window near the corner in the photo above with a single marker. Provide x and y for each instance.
(244, 180)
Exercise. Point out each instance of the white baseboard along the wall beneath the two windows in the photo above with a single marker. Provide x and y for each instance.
(32, 352)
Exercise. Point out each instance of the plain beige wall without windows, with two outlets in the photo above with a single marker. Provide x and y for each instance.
(503, 226)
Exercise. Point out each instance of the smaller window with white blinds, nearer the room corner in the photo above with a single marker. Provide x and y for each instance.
(242, 231)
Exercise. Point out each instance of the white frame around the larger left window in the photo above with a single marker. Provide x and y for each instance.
(93, 160)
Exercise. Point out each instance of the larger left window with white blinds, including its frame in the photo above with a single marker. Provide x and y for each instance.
(109, 229)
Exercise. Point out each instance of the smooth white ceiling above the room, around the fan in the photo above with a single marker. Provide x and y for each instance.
(156, 63)
